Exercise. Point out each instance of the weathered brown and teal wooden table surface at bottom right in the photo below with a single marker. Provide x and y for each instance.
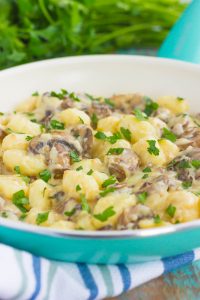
(182, 284)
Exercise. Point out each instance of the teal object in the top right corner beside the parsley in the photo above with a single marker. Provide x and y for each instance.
(183, 42)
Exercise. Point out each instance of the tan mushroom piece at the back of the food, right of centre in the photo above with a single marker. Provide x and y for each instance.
(127, 103)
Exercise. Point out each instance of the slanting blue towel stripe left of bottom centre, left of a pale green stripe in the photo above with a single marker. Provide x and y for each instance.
(88, 280)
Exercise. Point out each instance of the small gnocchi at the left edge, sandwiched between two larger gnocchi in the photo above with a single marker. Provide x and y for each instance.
(15, 141)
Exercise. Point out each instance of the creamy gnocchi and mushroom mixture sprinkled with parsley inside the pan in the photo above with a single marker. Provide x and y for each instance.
(76, 161)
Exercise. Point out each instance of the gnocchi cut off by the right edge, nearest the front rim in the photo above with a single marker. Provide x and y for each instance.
(186, 204)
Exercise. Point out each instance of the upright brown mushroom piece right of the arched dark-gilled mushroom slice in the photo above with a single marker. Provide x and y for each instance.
(84, 135)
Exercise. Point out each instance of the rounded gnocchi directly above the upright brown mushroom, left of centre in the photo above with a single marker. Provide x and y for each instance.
(74, 116)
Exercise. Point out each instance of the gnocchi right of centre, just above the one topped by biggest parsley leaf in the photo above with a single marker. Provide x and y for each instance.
(139, 129)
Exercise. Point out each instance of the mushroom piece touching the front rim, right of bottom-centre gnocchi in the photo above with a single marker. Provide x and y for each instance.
(131, 217)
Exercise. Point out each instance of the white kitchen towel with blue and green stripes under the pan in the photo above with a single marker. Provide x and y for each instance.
(24, 276)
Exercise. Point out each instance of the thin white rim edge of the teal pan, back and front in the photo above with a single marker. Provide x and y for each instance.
(107, 234)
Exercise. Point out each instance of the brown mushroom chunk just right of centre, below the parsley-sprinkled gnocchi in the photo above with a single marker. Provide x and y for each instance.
(122, 165)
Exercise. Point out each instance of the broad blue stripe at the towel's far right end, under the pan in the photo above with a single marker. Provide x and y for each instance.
(172, 263)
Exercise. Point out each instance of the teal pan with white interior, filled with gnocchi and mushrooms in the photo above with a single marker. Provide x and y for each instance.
(100, 158)
